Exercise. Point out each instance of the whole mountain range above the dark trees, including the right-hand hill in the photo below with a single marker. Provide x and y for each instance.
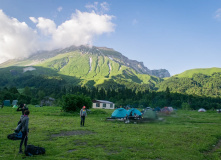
(103, 67)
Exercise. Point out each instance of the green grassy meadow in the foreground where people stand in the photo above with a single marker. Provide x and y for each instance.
(185, 135)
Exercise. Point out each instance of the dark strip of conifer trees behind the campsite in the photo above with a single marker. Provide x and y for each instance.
(122, 96)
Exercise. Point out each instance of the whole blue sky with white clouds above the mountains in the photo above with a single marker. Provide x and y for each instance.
(163, 34)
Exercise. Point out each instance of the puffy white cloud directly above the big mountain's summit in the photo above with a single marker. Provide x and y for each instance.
(79, 30)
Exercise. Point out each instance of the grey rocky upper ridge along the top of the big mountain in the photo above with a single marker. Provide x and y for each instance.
(113, 55)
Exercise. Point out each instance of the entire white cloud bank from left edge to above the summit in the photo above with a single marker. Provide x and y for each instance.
(18, 40)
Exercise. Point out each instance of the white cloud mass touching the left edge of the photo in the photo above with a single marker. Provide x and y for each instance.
(16, 38)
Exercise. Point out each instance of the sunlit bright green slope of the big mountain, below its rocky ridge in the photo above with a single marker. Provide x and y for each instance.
(93, 67)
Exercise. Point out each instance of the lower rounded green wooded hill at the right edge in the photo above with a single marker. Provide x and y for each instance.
(201, 82)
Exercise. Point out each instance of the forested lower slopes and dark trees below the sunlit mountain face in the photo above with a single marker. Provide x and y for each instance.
(31, 85)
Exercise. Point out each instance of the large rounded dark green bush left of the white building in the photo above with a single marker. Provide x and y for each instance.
(71, 102)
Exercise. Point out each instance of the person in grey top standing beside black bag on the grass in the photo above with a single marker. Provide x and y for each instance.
(24, 130)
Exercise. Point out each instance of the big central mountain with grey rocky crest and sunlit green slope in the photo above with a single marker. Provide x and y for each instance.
(90, 66)
